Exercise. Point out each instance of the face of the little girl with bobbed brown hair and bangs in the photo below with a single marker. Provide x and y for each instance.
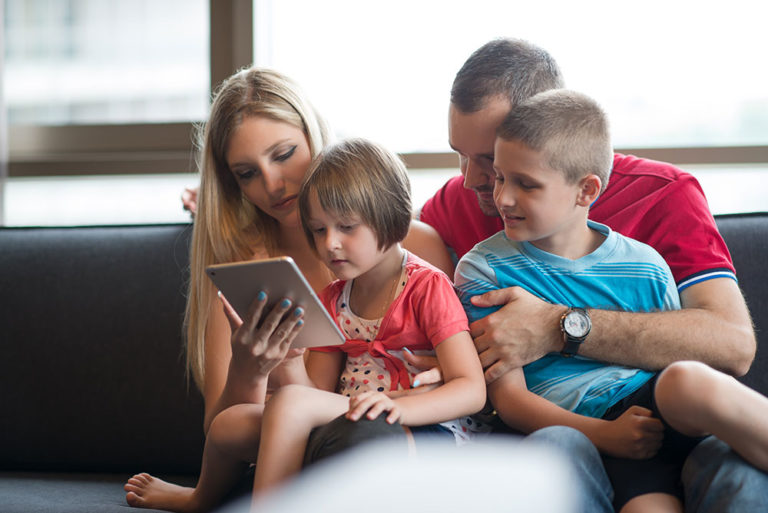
(346, 245)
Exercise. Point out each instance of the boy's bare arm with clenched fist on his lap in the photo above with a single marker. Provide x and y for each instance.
(635, 434)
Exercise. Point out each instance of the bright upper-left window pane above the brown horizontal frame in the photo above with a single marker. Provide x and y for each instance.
(94, 62)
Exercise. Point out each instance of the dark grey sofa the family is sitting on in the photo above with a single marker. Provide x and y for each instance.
(92, 383)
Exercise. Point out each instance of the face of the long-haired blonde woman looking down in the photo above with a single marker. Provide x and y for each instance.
(268, 159)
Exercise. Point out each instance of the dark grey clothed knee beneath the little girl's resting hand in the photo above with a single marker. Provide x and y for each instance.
(341, 434)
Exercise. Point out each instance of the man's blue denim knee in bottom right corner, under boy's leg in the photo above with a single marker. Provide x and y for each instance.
(717, 480)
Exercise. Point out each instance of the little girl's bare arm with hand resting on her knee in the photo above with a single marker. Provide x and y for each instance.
(462, 393)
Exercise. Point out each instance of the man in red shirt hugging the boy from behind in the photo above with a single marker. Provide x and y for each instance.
(653, 202)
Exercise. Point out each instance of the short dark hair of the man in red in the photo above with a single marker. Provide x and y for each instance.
(509, 68)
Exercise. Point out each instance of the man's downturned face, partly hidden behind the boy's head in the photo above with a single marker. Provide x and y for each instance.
(472, 136)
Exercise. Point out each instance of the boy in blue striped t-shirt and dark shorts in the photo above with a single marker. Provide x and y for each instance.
(552, 159)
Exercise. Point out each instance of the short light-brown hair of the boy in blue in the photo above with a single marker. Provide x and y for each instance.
(568, 127)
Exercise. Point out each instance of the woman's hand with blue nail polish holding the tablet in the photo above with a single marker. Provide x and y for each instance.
(257, 350)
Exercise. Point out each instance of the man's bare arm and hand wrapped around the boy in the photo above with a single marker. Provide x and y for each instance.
(713, 327)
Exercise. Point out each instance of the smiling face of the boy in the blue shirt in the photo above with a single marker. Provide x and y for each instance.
(535, 201)
